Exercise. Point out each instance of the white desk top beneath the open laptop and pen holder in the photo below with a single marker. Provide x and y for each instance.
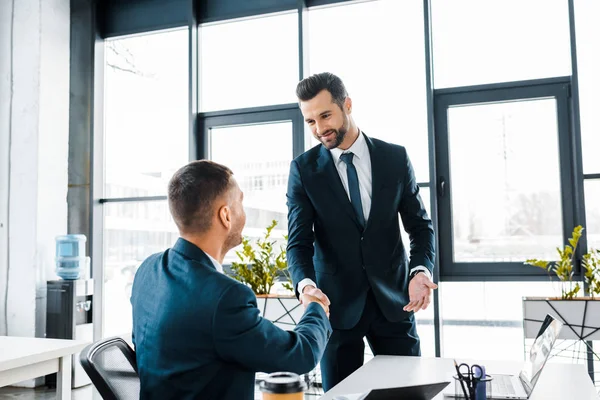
(558, 381)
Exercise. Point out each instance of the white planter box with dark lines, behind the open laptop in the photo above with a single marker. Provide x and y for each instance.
(581, 316)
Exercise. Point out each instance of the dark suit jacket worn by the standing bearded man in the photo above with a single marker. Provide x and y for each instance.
(327, 245)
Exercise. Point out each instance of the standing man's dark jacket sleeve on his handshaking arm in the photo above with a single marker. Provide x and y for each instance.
(301, 216)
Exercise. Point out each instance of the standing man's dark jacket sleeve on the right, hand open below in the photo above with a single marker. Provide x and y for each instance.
(416, 221)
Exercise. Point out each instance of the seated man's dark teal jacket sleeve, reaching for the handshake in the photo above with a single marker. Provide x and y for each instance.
(242, 336)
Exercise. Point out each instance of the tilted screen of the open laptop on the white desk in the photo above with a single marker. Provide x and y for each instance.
(540, 351)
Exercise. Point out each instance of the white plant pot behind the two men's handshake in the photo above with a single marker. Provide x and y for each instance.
(283, 310)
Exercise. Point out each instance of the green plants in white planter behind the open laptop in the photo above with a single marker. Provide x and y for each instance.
(580, 314)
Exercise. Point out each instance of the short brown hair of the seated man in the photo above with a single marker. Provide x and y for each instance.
(193, 190)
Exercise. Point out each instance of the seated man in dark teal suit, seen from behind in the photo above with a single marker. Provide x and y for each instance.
(198, 333)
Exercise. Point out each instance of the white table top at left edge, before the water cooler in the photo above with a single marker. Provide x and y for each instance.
(21, 351)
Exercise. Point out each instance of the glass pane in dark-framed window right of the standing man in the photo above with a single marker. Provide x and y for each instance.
(505, 181)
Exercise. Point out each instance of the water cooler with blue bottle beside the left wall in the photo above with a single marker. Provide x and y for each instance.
(69, 301)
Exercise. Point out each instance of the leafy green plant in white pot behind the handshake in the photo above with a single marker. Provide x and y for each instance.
(261, 264)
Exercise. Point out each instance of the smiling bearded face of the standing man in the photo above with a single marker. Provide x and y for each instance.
(328, 123)
